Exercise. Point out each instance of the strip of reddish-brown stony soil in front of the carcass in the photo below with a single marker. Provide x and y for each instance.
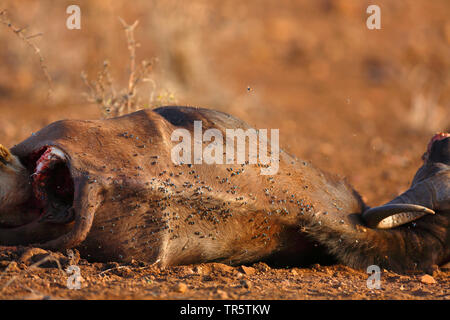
(38, 275)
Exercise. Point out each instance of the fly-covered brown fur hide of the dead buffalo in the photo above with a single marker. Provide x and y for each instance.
(132, 202)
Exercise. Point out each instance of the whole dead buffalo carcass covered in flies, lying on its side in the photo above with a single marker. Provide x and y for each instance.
(110, 189)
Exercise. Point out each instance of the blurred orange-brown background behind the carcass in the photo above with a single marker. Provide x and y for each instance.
(356, 102)
